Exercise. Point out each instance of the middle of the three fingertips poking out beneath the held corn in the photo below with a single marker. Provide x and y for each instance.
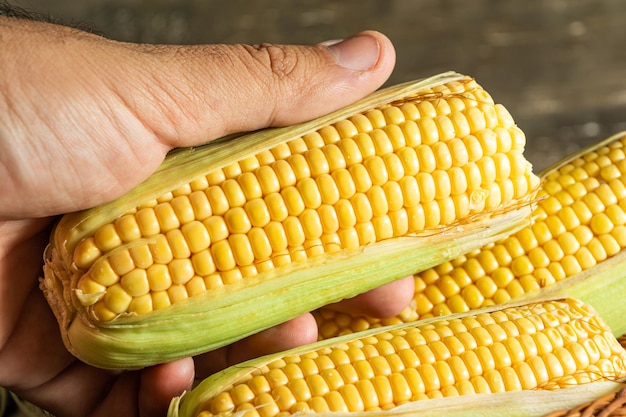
(296, 332)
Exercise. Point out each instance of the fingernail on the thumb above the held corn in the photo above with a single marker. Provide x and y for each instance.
(358, 53)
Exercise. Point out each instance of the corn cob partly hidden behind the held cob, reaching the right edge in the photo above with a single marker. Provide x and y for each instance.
(578, 226)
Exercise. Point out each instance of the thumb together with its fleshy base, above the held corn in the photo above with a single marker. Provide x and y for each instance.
(98, 116)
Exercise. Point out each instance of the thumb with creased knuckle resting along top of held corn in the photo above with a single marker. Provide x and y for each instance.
(212, 90)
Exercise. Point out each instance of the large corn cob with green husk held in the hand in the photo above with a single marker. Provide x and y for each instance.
(229, 232)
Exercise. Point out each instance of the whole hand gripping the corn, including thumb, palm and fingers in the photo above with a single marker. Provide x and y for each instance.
(74, 108)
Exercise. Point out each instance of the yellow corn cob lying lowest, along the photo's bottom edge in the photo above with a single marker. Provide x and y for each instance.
(545, 345)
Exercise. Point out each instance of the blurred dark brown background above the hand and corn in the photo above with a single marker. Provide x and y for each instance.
(557, 65)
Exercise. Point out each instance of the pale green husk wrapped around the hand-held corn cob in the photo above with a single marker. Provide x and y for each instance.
(220, 317)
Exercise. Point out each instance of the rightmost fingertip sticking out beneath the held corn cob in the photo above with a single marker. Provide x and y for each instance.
(385, 301)
